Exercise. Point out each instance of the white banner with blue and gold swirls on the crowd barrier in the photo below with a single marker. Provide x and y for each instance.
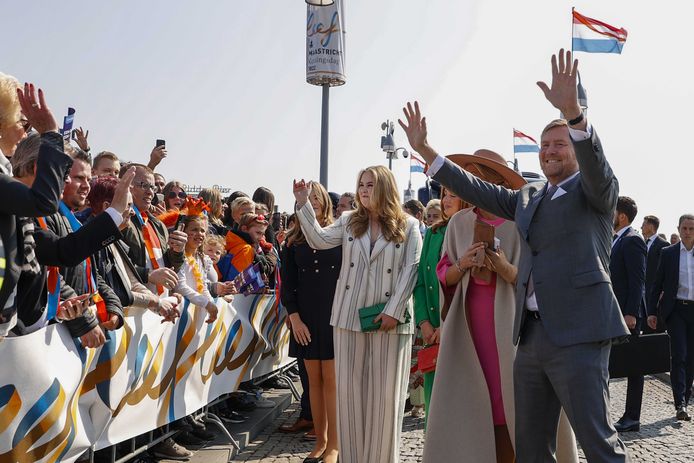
(57, 399)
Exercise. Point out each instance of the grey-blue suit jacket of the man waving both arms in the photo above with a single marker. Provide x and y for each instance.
(565, 243)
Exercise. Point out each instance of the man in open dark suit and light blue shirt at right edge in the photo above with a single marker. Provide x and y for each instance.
(673, 294)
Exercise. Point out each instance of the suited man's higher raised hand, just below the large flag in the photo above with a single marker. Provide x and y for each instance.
(562, 93)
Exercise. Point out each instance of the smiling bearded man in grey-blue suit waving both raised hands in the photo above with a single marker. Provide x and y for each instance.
(566, 312)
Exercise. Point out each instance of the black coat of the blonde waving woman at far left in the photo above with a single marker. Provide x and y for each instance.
(20, 200)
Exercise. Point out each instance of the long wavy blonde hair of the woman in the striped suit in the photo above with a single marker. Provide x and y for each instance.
(385, 200)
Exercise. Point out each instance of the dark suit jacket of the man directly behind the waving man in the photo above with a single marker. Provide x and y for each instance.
(628, 273)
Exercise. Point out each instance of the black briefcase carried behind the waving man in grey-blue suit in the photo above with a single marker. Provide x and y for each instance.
(647, 354)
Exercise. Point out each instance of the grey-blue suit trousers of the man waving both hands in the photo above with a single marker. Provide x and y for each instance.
(547, 378)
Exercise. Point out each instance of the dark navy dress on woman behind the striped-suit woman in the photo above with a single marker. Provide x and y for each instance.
(309, 277)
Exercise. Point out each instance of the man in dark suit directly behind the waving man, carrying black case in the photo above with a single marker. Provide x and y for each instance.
(628, 273)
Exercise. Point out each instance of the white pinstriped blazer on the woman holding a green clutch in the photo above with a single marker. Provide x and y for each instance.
(387, 274)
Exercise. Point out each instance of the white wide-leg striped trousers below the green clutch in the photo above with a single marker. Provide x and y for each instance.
(372, 371)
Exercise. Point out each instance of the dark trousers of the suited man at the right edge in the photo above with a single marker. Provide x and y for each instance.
(680, 327)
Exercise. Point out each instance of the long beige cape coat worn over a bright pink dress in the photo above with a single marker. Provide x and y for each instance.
(460, 426)
